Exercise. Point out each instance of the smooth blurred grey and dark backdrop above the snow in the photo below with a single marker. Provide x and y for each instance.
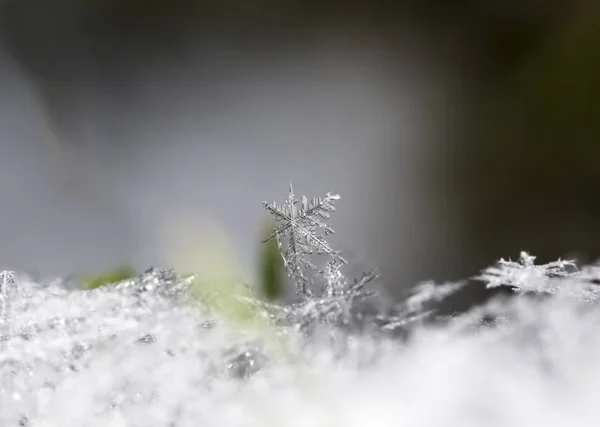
(456, 132)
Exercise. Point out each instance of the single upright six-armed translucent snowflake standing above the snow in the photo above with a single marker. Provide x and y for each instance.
(300, 229)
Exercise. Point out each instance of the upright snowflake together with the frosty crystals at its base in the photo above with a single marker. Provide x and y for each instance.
(340, 303)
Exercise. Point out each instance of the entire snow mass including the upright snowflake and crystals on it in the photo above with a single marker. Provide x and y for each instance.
(147, 352)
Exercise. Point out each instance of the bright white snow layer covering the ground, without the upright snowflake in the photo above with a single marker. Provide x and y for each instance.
(538, 366)
